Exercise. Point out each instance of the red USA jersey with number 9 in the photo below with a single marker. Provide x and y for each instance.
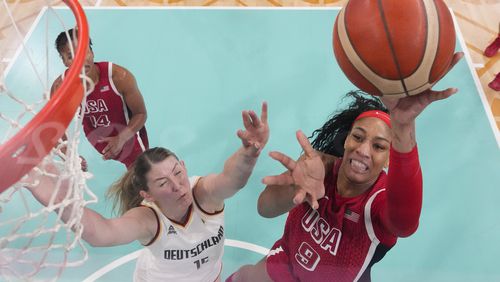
(340, 241)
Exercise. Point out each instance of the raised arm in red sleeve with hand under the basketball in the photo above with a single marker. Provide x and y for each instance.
(404, 184)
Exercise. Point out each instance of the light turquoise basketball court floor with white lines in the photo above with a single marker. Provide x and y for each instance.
(197, 73)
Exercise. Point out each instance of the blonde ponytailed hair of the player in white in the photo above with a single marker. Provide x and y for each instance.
(125, 192)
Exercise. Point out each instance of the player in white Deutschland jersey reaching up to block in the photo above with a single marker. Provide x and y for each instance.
(180, 221)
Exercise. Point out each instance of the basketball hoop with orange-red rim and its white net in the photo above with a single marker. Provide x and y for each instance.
(34, 241)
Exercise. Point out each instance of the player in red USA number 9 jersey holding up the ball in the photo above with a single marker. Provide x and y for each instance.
(345, 211)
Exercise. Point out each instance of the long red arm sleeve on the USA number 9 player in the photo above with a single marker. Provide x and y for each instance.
(401, 213)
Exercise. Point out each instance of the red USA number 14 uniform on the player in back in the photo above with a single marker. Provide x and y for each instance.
(106, 114)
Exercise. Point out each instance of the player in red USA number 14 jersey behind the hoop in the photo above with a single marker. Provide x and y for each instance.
(114, 113)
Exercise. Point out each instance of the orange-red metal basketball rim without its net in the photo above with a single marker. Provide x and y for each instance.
(35, 140)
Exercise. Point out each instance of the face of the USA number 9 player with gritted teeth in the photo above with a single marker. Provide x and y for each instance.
(366, 150)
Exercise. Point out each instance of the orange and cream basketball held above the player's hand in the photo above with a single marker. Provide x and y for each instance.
(393, 47)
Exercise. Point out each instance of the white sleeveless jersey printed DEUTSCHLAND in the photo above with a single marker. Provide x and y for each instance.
(190, 252)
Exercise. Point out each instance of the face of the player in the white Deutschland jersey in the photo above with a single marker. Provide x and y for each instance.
(169, 185)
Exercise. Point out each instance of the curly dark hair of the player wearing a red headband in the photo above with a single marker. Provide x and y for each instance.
(331, 136)
